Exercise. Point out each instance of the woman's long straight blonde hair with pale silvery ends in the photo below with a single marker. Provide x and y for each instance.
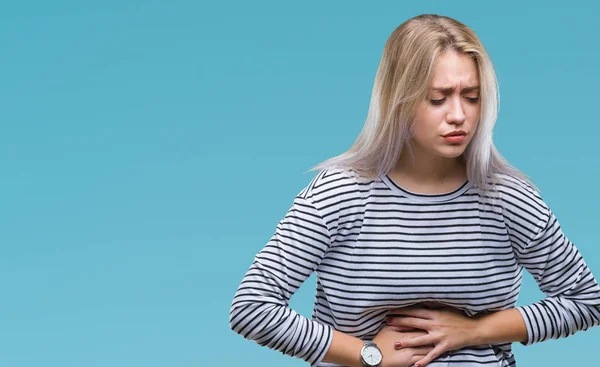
(402, 82)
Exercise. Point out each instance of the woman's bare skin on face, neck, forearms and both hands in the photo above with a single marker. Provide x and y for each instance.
(424, 333)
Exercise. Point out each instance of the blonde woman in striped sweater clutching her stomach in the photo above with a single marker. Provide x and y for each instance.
(419, 233)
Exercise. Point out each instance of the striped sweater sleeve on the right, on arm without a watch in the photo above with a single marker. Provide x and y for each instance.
(572, 301)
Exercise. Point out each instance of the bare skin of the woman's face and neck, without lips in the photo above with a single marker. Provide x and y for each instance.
(451, 104)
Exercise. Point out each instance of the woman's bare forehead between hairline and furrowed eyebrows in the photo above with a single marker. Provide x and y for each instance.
(454, 69)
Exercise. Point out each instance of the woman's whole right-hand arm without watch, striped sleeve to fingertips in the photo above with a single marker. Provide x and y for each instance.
(572, 301)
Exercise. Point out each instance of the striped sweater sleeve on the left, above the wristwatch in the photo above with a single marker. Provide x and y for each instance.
(260, 309)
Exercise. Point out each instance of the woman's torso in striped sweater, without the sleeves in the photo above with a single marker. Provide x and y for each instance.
(393, 248)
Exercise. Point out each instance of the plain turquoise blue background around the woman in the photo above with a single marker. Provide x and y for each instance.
(148, 149)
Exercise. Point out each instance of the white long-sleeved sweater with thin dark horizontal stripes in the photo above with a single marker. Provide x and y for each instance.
(376, 246)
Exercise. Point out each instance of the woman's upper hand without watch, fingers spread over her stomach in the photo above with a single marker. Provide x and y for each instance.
(447, 329)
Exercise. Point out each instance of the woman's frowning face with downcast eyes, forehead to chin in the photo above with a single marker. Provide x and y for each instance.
(446, 120)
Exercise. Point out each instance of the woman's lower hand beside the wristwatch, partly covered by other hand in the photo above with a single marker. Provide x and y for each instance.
(404, 357)
